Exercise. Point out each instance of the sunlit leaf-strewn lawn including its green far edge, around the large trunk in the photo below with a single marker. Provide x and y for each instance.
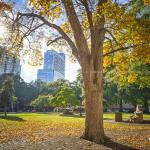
(31, 128)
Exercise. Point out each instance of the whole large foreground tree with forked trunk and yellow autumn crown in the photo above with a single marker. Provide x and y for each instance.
(92, 29)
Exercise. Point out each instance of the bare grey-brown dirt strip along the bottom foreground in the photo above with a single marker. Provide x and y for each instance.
(60, 143)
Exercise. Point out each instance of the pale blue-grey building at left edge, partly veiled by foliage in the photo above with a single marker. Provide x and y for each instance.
(9, 64)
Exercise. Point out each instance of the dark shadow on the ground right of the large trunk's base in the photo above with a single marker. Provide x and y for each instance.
(117, 146)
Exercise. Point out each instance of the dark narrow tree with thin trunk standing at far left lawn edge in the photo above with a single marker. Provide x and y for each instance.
(7, 93)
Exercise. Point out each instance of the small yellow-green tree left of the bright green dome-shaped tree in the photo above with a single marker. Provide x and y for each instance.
(42, 102)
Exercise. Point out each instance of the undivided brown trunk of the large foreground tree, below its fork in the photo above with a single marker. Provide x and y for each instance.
(93, 81)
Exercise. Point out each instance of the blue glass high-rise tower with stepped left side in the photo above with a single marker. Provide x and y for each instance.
(53, 68)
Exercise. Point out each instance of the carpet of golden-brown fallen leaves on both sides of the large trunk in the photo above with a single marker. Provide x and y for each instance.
(35, 129)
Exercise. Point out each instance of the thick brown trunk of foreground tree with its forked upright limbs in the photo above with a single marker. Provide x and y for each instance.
(91, 61)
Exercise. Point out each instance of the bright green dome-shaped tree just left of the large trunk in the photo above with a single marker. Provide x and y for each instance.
(65, 97)
